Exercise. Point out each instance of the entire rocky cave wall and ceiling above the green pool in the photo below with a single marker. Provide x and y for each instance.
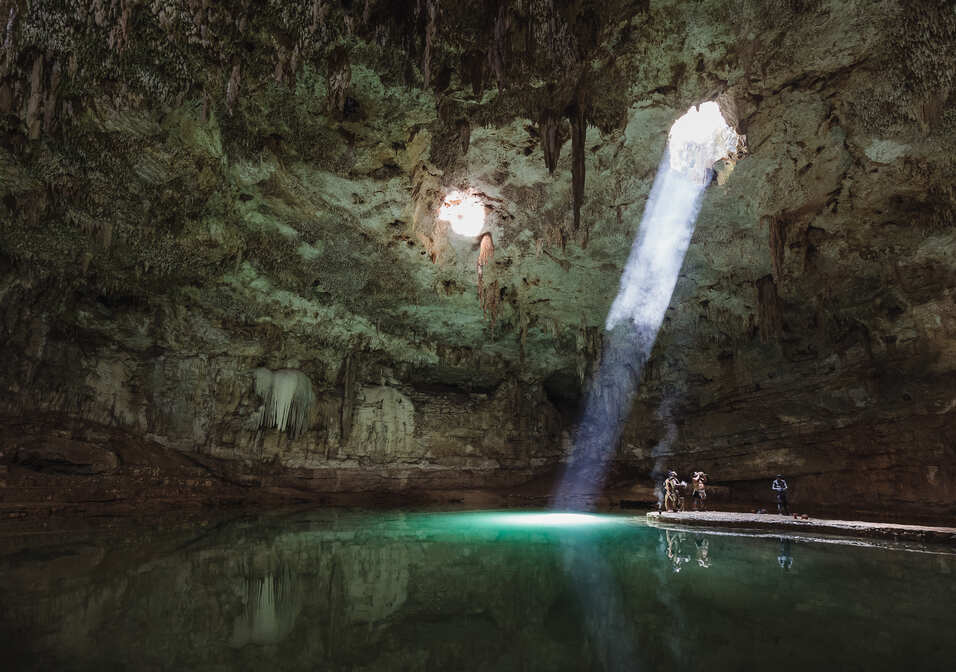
(191, 191)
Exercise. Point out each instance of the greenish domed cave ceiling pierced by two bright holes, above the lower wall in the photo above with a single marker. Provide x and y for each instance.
(262, 180)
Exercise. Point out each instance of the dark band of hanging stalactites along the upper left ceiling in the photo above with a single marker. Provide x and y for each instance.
(218, 52)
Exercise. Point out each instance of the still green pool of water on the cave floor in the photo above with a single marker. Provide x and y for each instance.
(340, 590)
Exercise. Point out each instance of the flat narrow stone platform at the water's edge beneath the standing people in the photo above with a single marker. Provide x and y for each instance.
(855, 528)
